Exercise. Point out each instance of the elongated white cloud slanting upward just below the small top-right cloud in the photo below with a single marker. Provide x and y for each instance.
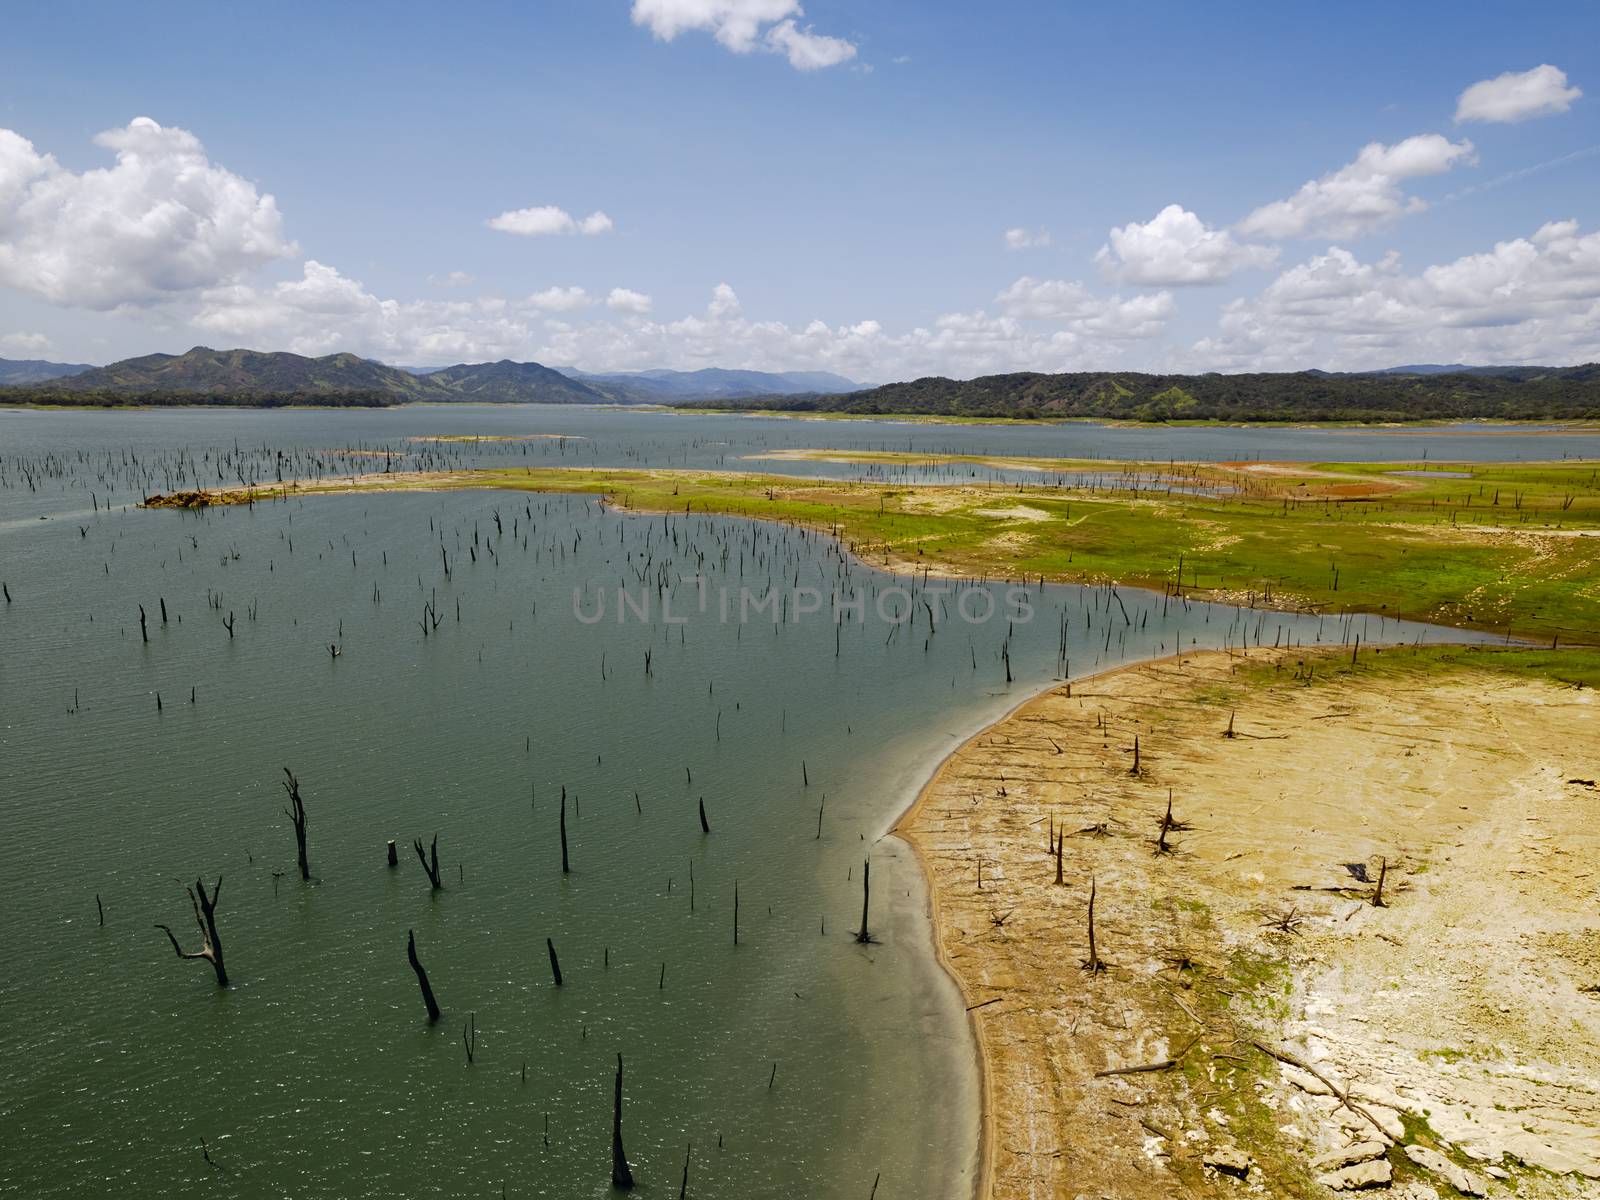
(1364, 196)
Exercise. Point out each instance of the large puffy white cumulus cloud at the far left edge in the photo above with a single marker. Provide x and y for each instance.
(159, 223)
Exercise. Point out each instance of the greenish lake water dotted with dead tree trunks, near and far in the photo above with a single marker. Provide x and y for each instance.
(318, 1074)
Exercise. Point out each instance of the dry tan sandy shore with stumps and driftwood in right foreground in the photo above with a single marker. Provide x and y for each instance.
(1455, 1018)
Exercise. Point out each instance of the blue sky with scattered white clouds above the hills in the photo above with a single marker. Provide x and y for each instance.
(806, 188)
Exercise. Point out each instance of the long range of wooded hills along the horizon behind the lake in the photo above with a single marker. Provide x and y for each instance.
(257, 378)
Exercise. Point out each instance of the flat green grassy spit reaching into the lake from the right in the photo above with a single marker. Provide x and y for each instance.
(1503, 550)
